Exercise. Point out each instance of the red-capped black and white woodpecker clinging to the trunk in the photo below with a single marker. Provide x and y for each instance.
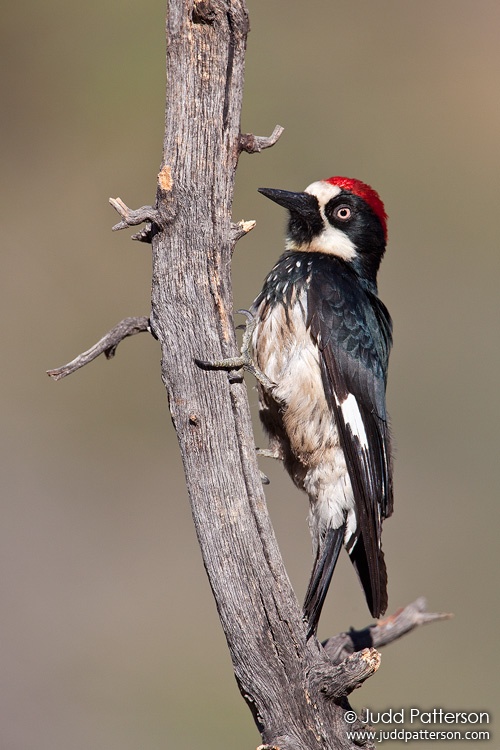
(320, 338)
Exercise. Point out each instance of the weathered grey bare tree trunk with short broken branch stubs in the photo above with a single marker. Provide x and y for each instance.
(295, 688)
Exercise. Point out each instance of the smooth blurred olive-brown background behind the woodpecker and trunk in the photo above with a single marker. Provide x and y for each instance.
(109, 635)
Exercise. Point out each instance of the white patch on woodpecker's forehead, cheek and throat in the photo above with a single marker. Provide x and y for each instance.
(331, 241)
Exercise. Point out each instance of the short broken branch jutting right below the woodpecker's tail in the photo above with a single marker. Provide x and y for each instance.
(384, 632)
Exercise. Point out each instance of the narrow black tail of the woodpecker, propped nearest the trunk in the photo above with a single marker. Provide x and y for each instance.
(326, 559)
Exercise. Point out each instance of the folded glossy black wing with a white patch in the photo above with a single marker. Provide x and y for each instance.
(354, 335)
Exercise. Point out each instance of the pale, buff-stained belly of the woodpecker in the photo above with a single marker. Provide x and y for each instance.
(299, 421)
